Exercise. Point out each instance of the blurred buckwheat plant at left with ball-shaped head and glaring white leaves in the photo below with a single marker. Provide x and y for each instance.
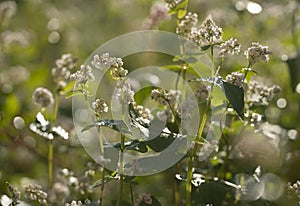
(47, 100)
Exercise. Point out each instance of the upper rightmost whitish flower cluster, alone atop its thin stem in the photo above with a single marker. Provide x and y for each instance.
(257, 52)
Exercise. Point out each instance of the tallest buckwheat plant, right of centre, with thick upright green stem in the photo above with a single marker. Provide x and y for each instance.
(242, 92)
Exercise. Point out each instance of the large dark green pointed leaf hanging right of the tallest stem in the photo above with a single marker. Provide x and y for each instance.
(235, 96)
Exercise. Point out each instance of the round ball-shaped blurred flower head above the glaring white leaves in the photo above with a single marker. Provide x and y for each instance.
(43, 97)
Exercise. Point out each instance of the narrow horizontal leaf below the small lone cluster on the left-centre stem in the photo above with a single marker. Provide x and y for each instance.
(117, 125)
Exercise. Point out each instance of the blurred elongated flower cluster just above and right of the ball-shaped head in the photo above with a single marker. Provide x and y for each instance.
(61, 73)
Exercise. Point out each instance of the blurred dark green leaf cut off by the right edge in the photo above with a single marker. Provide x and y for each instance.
(294, 69)
